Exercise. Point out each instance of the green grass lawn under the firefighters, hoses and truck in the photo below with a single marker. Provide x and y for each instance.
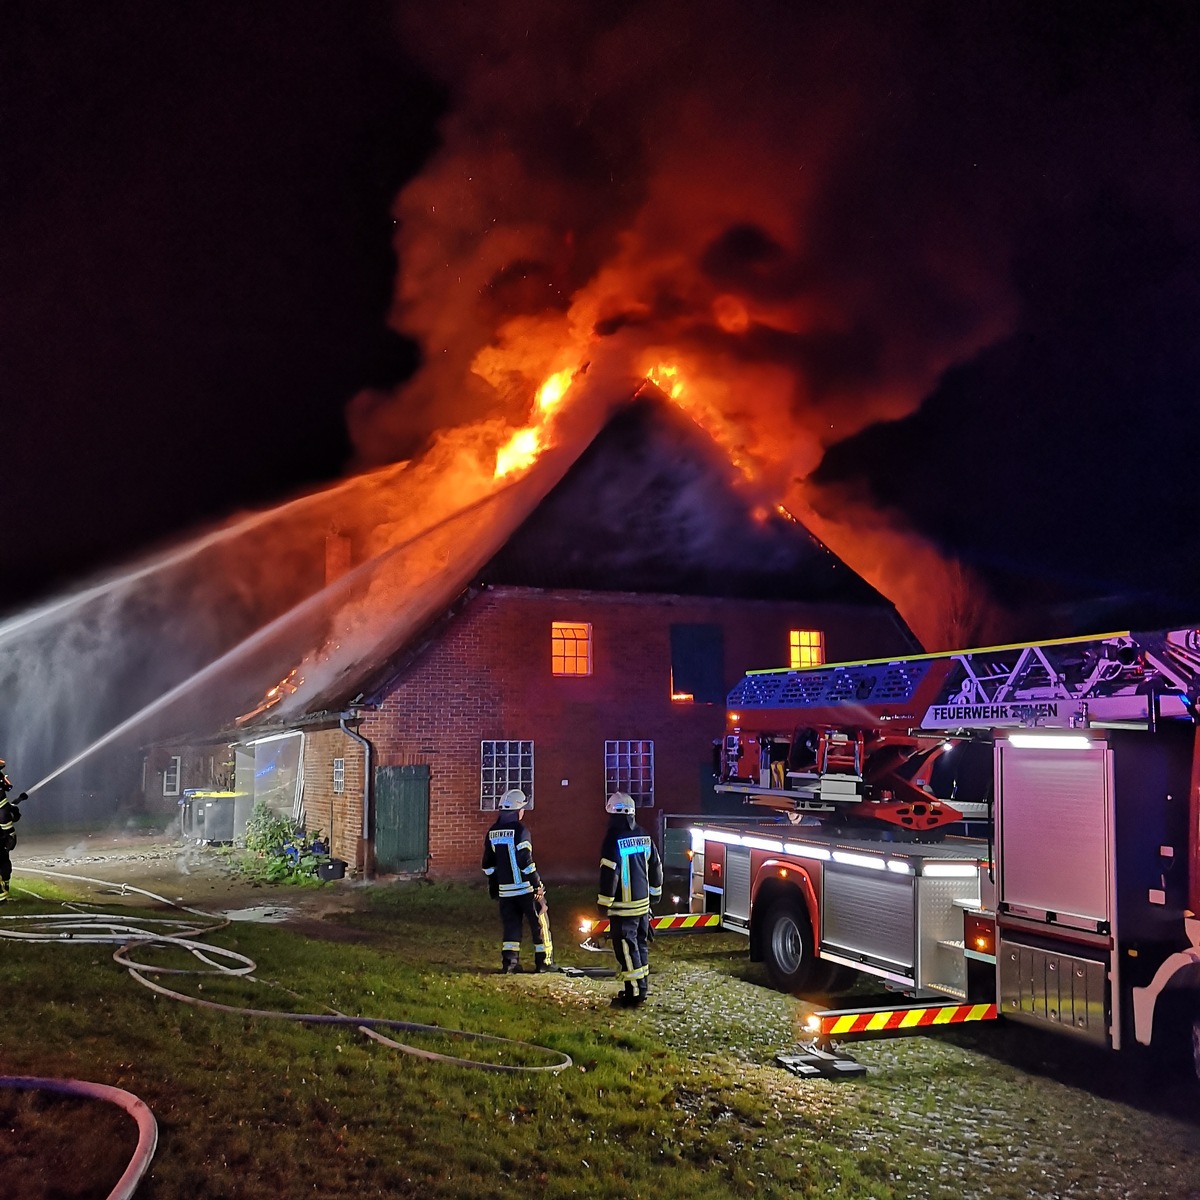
(680, 1099)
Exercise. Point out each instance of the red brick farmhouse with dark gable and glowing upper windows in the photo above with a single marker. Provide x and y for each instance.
(592, 652)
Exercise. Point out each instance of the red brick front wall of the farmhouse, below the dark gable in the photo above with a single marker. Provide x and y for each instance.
(489, 677)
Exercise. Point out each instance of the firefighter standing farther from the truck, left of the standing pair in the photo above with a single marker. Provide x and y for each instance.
(514, 881)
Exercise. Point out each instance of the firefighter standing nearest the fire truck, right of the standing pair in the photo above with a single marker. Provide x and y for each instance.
(631, 880)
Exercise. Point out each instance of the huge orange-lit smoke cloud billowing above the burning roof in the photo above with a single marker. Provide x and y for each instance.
(770, 200)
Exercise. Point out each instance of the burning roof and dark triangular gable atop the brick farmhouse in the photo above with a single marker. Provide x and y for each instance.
(649, 505)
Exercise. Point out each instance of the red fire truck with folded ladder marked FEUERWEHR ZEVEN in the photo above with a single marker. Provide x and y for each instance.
(1006, 832)
